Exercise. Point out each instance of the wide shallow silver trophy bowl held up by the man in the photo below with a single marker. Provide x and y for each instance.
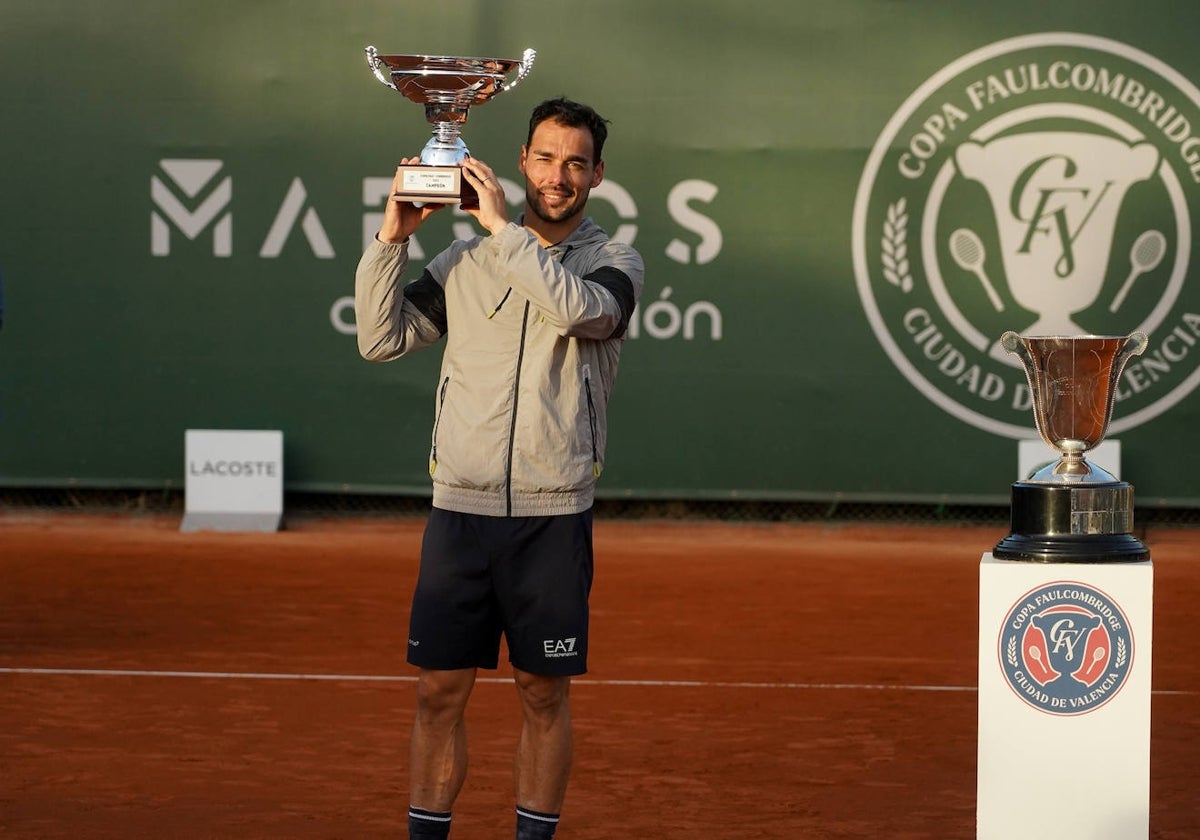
(448, 87)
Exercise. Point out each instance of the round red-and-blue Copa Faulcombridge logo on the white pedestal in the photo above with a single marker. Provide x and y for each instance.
(1066, 649)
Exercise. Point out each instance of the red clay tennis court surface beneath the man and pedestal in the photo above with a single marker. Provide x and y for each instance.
(747, 681)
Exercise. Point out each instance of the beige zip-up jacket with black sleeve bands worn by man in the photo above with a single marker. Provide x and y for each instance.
(533, 341)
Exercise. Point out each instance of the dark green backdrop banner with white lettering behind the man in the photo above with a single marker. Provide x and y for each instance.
(842, 207)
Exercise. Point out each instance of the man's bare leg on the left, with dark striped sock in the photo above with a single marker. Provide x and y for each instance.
(437, 753)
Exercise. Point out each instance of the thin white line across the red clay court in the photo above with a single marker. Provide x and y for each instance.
(578, 681)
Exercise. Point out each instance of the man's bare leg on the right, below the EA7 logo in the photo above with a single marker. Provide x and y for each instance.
(544, 753)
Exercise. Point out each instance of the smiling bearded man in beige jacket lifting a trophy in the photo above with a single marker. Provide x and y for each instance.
(535, 316)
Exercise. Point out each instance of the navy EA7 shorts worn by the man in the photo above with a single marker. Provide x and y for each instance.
(525, 578)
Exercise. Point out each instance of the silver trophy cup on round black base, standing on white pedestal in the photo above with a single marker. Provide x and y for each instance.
(1072, 511)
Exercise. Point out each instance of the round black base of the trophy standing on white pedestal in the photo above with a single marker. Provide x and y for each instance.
(1072, 524)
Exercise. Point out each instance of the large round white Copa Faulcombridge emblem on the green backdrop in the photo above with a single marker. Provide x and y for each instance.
(1047, 185)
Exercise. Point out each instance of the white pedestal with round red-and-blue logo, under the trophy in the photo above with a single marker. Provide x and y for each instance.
(1065, 743)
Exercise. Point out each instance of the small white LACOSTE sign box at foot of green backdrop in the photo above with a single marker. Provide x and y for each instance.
(235, 481)
